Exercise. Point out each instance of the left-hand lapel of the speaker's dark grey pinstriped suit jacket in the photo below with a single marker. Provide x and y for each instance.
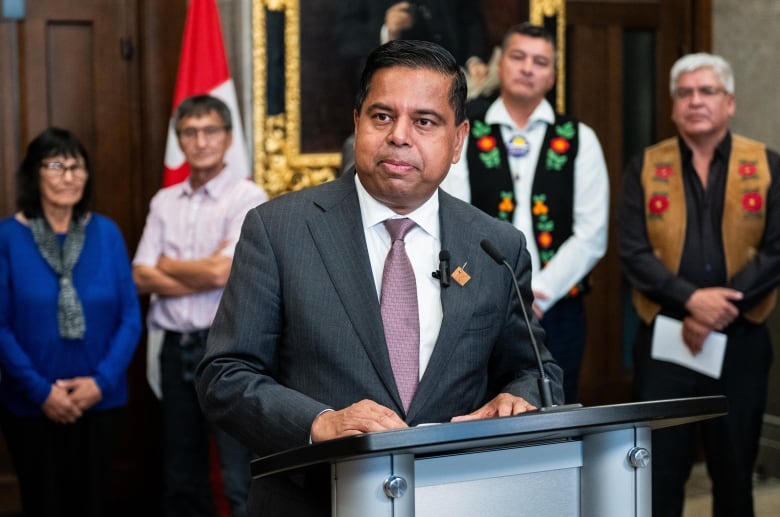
(337, 231)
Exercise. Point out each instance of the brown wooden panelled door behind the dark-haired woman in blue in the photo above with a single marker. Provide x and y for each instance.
(78, 70)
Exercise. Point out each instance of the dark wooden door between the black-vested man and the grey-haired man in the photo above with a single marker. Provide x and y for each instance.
(618, 56)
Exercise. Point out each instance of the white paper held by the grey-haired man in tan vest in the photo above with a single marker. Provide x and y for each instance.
(668, 345)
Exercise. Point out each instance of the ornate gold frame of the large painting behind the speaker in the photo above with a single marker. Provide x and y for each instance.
(279, 162)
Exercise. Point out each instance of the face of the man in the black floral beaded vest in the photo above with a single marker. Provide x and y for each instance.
(526, 69)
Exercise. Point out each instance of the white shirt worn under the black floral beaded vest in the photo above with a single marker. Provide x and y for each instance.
(588, 242)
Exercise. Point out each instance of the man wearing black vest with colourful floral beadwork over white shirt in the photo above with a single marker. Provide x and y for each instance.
(544, 173)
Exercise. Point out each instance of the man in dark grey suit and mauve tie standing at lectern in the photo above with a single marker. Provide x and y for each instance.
(332, 323)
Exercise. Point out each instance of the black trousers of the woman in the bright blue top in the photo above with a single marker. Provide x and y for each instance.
(63, 470)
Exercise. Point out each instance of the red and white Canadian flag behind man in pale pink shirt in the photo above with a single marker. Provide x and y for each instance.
(203, 69)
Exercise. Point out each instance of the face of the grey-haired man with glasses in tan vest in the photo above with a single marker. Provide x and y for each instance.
(701, 108)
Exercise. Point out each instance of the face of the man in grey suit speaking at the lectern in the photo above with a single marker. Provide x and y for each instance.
(406, 137)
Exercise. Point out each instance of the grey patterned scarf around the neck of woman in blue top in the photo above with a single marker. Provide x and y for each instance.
(70, 314)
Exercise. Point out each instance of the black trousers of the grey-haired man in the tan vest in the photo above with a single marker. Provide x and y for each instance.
(730, 443)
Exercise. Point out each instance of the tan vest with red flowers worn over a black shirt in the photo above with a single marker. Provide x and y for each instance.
(744, 212)
